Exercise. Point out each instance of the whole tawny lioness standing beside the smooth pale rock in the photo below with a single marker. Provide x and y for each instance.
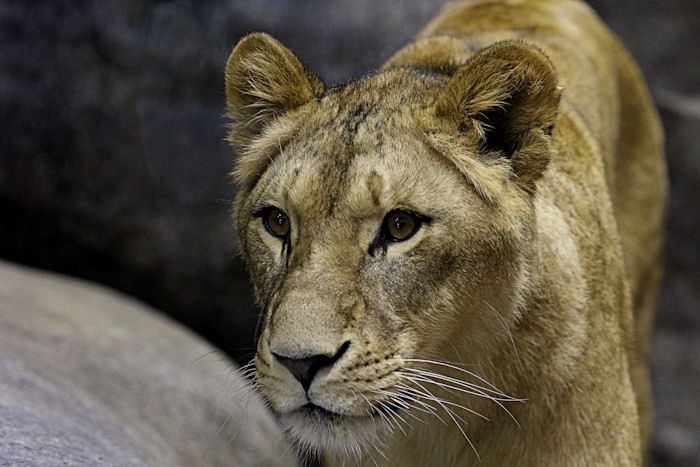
(457, 256)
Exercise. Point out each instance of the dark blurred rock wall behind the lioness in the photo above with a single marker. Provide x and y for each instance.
(113, 165)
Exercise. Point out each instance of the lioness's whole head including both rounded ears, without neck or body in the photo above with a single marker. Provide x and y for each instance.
(386, 225)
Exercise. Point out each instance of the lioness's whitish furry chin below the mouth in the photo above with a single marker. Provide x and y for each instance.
(322, 432)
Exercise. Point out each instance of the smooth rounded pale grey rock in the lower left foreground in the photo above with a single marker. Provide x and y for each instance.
(91, 377)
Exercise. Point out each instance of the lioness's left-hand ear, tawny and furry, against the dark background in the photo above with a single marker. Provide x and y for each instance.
(263, 80)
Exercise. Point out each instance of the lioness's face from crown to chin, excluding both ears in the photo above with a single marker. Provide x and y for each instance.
(378, 235)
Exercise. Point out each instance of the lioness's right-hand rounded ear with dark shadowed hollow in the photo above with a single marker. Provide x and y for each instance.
(508, 94)
